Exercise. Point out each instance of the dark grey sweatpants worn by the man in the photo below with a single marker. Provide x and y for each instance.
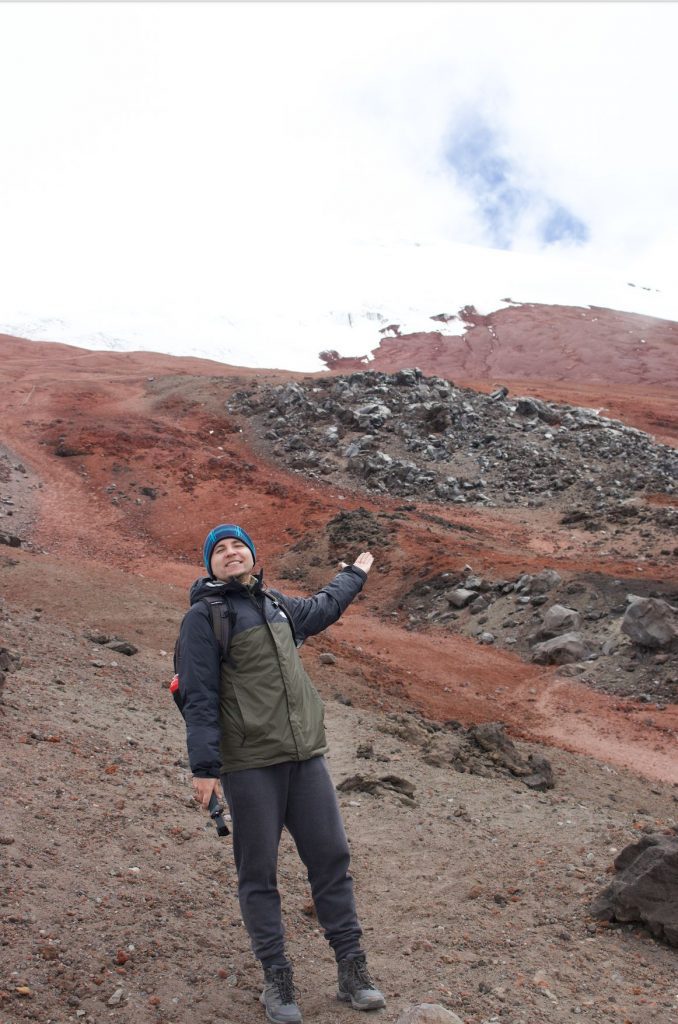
(301, 797)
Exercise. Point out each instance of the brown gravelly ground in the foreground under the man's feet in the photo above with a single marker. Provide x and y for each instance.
(119, 901)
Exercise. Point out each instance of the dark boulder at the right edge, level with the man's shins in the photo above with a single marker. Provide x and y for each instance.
(646, 888)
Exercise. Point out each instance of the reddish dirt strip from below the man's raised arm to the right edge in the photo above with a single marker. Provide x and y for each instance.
(451, 677)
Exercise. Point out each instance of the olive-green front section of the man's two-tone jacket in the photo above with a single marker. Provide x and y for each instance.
(270, 710)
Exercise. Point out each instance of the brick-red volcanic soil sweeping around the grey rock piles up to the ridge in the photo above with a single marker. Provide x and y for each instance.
(134, 456)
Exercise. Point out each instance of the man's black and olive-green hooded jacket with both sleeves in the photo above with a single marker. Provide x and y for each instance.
(259, 708)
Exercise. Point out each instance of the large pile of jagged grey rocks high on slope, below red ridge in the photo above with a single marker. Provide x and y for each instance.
(405, 434)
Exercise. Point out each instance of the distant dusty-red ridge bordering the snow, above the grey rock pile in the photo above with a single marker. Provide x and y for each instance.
(621, 363)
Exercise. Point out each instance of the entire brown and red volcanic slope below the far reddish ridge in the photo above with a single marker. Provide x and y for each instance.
(117, 899)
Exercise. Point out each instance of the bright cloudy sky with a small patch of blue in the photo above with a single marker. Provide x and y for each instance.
(191, 154)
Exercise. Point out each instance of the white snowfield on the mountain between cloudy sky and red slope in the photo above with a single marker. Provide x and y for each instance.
(293, 311)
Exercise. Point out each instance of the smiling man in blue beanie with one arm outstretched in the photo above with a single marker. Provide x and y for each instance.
(256, 727)
